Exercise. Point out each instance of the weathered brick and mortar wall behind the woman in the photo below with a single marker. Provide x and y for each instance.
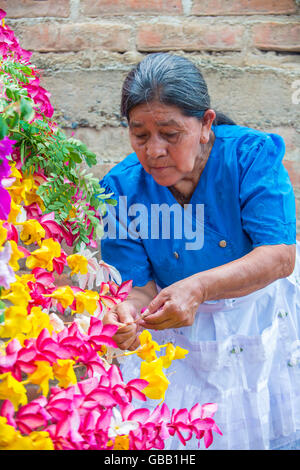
(248, 51)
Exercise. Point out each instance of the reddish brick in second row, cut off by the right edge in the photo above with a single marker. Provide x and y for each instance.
(277, 36)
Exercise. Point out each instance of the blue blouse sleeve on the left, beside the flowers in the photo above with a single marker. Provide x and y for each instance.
(120, 247)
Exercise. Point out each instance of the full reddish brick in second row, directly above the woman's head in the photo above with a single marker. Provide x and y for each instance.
(189, 37)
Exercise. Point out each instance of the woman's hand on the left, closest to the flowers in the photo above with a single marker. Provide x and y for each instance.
(124, 315)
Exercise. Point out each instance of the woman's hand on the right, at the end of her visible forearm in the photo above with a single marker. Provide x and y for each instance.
(174, 307)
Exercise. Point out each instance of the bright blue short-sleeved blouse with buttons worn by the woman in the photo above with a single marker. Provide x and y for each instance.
(244, 199)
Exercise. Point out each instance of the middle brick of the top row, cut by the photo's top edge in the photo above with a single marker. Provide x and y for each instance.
(121, 7)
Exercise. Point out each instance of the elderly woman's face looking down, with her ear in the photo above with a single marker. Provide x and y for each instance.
(167, 143)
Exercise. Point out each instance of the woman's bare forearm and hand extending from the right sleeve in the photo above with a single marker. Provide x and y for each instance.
(176, 305)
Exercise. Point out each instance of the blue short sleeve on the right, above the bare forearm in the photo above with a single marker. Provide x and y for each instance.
(267, 199)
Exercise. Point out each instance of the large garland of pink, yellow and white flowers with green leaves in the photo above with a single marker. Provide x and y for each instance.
(60, 383)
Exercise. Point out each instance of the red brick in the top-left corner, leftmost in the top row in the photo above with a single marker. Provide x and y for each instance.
(35, 8)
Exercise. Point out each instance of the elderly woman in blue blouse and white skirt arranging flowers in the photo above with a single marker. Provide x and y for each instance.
(221, 281)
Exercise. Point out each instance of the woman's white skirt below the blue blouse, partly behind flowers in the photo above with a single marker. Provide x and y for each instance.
(244, 355)
